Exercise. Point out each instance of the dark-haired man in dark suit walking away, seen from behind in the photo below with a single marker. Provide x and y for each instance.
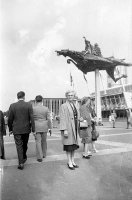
(21, 123)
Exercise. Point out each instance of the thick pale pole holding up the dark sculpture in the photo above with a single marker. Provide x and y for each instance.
(97, 95)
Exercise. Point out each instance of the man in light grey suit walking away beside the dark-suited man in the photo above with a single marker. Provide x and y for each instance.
(43, 122)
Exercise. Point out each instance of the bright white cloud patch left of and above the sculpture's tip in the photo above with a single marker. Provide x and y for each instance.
(51, 41)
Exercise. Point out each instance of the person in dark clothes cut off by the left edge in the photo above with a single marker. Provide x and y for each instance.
(2, 133)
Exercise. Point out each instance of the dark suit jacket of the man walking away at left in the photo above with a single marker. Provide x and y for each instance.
(20, 119)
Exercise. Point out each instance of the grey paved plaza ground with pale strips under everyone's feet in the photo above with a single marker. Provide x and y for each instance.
(106, 176)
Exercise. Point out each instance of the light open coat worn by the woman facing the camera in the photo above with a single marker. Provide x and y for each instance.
(67, 123)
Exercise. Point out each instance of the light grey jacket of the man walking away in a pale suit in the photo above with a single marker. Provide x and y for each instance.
(42, 118)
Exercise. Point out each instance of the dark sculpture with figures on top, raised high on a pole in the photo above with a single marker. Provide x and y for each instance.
(92, 59)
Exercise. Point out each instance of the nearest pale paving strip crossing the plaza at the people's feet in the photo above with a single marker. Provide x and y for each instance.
(59, 157)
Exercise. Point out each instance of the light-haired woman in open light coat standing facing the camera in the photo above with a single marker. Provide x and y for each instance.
(69, 126)
